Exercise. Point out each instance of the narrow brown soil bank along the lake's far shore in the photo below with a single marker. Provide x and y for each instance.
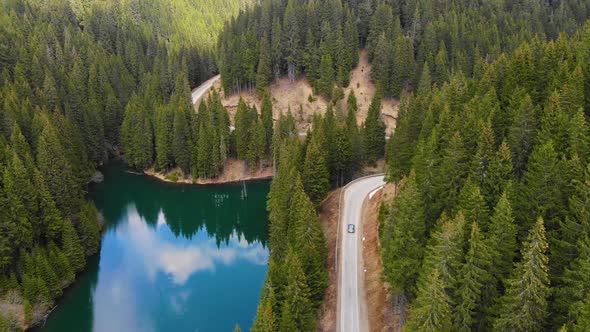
(234, 171)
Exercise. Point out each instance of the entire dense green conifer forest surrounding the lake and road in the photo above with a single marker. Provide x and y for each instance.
(490, 226)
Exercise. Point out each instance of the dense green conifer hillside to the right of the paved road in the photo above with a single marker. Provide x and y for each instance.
(490, 230)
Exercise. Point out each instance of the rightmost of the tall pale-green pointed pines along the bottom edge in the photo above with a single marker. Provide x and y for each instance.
(524, 306)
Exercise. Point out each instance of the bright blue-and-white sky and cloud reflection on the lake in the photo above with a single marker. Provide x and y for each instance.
(145, 252)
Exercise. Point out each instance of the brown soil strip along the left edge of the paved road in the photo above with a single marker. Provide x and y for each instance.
(329, 221)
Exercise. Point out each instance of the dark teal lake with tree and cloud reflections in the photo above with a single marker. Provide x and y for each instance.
(173, 258)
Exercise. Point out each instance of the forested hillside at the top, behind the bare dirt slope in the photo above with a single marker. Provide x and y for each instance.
(321, 38)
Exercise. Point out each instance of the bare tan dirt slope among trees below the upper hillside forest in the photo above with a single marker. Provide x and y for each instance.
(295, 96)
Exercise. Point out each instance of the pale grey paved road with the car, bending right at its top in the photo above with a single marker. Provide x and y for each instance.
(352, 313)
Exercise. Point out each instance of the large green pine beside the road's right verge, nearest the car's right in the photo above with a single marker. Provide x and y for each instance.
(403, 237)
